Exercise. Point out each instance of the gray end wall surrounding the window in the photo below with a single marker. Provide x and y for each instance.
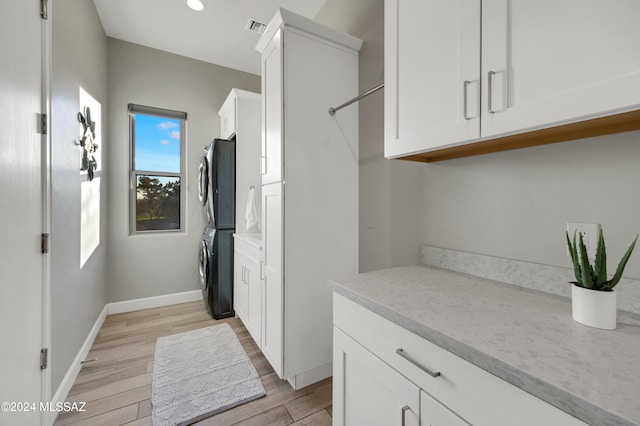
(151, 265)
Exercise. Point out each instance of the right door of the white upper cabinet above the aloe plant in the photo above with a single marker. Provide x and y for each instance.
(553, 62)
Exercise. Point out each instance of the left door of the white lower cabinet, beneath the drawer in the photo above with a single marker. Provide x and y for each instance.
(366, 391)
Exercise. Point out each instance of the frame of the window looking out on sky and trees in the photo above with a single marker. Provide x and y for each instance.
(134, 109)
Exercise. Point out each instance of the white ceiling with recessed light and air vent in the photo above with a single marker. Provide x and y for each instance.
(216, 35)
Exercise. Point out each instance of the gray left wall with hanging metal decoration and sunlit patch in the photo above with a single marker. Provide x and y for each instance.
(77, 293)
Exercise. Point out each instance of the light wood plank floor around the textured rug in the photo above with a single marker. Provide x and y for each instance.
(117, 387)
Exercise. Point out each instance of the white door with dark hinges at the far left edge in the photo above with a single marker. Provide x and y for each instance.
(23, 211)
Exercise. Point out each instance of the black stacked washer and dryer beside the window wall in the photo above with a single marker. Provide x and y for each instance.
(216, 191)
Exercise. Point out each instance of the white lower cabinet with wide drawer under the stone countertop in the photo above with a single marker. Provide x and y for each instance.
(385, 374)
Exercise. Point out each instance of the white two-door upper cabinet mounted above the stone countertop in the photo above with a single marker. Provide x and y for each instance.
(539, 64)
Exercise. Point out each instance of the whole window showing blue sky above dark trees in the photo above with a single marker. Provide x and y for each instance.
(157, 139)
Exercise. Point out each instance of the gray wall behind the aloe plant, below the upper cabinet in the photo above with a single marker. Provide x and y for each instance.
(516, 204)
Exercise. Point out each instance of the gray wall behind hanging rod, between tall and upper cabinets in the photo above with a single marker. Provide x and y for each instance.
(390, 191)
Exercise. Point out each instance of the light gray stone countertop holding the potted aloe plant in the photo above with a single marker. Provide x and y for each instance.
(525, 337)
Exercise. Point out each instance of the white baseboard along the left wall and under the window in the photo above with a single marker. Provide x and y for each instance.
(109, 309)
